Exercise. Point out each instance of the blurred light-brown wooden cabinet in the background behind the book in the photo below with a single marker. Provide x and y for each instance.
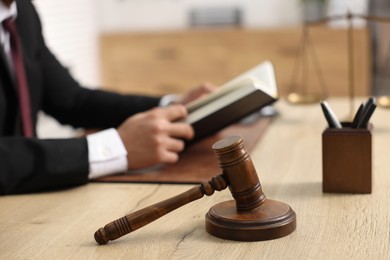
(171, 62)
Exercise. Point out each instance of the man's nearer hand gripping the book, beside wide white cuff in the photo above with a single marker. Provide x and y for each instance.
(155, 136)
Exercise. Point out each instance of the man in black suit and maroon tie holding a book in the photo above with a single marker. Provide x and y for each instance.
(139, 133)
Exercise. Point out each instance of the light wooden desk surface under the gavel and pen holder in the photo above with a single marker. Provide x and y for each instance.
(61, 224)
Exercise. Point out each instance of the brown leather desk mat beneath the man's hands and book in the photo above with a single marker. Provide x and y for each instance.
(198, 162)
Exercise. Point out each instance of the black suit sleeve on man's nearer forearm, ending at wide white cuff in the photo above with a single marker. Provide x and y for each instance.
(31, 165)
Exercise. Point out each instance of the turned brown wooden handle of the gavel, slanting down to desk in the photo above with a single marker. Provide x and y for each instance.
(138, 219)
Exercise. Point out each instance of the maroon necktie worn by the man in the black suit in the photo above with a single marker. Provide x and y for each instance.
(21, 79)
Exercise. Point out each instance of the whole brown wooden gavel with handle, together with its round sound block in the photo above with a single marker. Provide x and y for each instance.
(249, 217)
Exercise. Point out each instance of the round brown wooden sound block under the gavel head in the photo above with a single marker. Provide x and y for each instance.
(271, 220)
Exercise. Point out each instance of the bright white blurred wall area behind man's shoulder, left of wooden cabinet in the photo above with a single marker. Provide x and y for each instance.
(71, 31)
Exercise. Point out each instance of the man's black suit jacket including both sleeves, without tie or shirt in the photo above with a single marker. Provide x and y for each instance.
(30, 164)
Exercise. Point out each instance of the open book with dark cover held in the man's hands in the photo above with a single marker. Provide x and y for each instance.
(241, 96)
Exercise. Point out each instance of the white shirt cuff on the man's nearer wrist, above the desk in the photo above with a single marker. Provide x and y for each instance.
(106, 153)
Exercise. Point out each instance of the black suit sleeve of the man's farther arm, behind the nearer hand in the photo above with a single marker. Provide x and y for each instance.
(72, 104)
